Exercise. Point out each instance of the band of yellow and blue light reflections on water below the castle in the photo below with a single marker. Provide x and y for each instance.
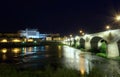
(13, 53)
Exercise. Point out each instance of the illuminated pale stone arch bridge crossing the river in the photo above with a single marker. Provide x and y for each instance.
(111, 37)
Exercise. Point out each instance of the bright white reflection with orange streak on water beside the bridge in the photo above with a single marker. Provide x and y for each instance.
(75, 59)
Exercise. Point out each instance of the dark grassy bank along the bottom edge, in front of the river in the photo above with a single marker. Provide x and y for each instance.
(9, 70)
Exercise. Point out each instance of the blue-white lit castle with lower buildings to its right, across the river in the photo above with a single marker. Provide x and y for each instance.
(34, 33)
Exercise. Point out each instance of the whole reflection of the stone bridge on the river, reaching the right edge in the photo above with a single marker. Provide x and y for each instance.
(90, 65)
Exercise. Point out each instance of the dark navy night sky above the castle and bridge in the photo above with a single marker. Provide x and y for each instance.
(57, 16)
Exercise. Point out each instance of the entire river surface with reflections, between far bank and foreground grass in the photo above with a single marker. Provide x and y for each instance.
(60, 56)
